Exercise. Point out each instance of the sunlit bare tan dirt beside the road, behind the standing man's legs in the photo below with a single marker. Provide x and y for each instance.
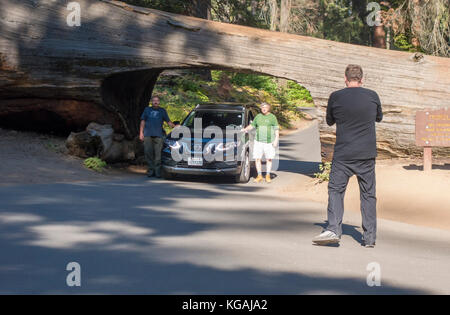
(405, 193)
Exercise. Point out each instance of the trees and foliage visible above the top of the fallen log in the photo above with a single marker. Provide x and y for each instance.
(337, 20)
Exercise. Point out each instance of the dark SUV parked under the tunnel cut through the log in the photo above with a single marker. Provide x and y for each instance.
(209, 142)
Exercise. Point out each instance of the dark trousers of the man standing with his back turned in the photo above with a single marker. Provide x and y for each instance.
(341, 171)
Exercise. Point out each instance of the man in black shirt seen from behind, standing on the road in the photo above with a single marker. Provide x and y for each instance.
(354, 110)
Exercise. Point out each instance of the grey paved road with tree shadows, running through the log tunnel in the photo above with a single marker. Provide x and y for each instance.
(139, 235)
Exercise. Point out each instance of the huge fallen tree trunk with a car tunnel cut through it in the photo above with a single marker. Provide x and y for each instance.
(113, 59)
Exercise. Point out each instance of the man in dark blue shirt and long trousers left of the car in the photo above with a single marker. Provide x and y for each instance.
(152, 133)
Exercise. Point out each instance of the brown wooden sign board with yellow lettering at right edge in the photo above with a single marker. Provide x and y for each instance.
(433, 128)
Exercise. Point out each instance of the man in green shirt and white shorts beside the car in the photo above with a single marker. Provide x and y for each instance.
(267, 136)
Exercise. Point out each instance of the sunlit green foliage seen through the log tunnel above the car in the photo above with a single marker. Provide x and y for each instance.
(180, 94)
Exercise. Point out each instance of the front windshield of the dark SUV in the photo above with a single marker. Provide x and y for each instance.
(214, 118)
